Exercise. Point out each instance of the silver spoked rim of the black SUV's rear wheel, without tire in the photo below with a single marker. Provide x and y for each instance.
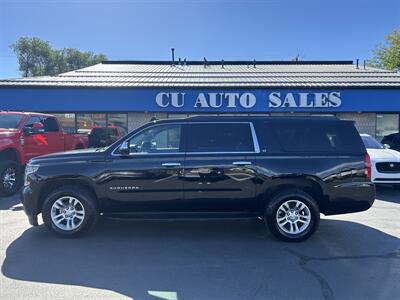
(293, 217)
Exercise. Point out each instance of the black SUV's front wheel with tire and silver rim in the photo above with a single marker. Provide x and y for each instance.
(75, 221)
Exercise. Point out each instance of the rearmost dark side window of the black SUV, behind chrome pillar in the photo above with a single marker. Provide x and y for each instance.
(318, 137)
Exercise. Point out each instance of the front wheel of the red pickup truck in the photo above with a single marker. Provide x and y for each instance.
(10, 177)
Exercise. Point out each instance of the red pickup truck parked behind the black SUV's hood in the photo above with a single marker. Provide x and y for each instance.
(27, 135)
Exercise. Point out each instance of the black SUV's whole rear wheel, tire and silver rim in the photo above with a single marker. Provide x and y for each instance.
(294, 225)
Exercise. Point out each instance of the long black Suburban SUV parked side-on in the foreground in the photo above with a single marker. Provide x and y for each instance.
(285, 170)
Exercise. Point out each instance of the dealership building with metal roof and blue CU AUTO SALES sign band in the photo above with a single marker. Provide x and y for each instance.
(129, 93)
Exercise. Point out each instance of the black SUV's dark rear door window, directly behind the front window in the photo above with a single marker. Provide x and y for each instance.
(219, 137)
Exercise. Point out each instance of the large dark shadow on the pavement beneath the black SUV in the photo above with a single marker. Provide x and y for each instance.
(212, 260)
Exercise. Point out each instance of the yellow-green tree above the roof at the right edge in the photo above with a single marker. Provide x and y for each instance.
(387, 55)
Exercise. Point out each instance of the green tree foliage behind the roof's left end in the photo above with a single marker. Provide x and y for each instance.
(36, 57)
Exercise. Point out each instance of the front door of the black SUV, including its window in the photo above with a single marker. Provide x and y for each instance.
(150, 178)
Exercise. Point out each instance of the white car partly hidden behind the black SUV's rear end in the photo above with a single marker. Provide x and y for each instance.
(385, 163)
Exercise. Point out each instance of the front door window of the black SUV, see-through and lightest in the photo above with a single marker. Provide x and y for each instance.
(157, 139)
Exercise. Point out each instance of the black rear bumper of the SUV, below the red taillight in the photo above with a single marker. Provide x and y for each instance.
(350, 198)
